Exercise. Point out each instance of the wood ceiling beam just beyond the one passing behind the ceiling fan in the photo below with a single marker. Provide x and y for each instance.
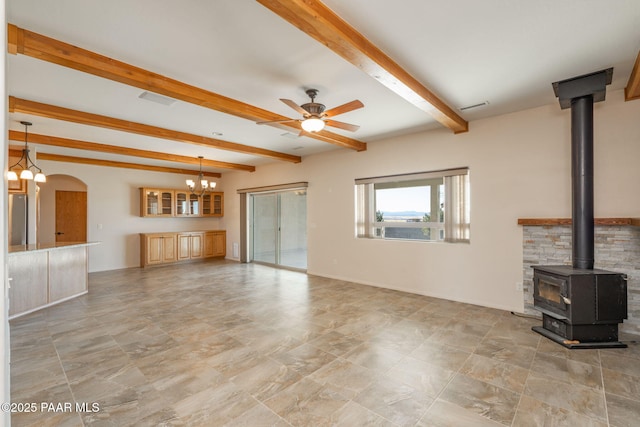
(66, 114)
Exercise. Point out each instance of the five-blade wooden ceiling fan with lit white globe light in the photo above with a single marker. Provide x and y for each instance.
(315, 117)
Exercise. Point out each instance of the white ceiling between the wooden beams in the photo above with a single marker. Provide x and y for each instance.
(506, 52)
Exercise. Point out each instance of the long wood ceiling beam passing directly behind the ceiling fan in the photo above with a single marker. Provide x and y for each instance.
(25, 42)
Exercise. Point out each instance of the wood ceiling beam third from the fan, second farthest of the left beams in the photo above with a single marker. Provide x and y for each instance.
(125, 151)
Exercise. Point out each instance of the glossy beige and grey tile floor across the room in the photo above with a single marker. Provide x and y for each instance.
(221, 343)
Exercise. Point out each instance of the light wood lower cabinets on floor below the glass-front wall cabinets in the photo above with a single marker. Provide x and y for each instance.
(166, 248)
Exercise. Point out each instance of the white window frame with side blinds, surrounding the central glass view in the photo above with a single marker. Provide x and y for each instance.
(456, 225)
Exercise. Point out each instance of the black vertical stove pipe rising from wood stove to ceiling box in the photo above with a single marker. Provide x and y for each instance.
(582, 182)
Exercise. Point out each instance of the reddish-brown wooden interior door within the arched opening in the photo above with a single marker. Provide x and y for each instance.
(71, 216)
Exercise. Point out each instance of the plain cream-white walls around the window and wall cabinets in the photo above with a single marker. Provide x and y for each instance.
(519, 167)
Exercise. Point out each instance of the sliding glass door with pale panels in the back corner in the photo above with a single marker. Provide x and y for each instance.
(279, 228)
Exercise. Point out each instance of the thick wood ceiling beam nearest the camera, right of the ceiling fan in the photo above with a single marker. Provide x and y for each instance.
(321, 23)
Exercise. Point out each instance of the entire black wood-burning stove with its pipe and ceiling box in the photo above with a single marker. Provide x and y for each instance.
(581, 306)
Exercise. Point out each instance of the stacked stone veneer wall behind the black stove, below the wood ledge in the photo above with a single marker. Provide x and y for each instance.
(617, 248)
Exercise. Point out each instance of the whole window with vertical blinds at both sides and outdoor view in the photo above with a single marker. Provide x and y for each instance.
(428, 206)
